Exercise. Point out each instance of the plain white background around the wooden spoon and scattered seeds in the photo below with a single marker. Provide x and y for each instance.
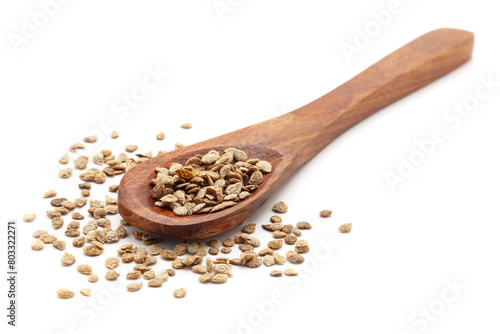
(257, 61)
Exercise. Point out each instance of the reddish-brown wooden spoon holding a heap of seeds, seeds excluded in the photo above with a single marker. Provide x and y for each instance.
(290, 140)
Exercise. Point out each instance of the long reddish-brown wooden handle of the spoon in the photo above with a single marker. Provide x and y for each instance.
(307, 130)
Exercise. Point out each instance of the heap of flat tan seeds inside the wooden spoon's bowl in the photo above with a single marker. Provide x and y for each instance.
(208, 183)
